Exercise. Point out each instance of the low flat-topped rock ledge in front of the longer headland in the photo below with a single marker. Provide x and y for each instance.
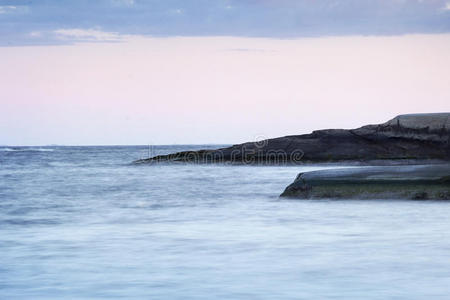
(415, 182)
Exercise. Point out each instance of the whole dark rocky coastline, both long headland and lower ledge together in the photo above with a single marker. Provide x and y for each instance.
(409, 157)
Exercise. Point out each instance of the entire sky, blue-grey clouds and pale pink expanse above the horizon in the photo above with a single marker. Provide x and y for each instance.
(80, 72)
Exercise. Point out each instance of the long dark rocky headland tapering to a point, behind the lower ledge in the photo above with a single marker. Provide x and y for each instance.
(407, 138)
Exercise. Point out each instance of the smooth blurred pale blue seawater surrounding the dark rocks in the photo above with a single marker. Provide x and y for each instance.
(82, 223)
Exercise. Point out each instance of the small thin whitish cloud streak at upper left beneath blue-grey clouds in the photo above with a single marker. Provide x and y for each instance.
(77, 34)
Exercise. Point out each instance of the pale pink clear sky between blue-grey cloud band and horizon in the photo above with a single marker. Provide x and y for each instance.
(215, 89)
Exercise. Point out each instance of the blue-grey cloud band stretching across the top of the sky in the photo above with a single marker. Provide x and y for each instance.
(25, 22)
